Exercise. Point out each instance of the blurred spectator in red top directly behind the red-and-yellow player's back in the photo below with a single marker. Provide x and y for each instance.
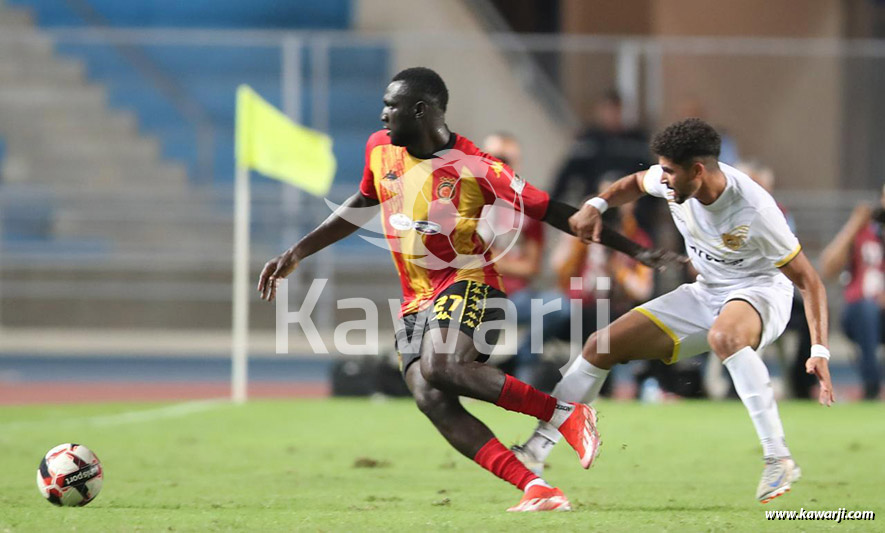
(521, 264)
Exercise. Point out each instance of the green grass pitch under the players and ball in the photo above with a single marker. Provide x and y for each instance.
(292, 465)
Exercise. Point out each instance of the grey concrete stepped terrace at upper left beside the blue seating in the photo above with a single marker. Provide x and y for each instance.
(59, 132)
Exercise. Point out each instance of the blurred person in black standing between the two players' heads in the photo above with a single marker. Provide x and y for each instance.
(606, 150)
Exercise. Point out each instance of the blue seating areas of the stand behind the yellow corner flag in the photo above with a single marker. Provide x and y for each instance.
(208, 76)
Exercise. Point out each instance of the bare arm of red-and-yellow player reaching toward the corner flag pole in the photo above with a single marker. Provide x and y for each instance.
(341, 223)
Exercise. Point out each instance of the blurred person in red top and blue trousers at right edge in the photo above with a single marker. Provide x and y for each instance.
(858, 249)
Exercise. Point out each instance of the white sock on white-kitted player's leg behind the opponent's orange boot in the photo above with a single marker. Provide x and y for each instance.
(581, 383)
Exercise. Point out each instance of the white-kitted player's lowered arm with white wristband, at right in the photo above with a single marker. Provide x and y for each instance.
(814, 295)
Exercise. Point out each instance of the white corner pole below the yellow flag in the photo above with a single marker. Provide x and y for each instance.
(240, 341)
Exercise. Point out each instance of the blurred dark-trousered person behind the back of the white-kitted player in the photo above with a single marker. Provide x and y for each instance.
(800, 382)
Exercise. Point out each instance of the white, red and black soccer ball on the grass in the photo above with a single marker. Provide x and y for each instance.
(69, 475)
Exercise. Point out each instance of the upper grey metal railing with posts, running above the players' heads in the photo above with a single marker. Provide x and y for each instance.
(636, 58)
